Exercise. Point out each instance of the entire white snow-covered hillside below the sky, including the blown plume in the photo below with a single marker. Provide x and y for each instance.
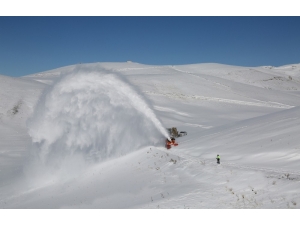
(92, 136)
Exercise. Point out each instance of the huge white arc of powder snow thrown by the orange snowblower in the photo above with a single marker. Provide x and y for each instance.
(89, 115)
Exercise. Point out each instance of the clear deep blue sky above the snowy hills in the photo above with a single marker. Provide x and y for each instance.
(35, 44)
